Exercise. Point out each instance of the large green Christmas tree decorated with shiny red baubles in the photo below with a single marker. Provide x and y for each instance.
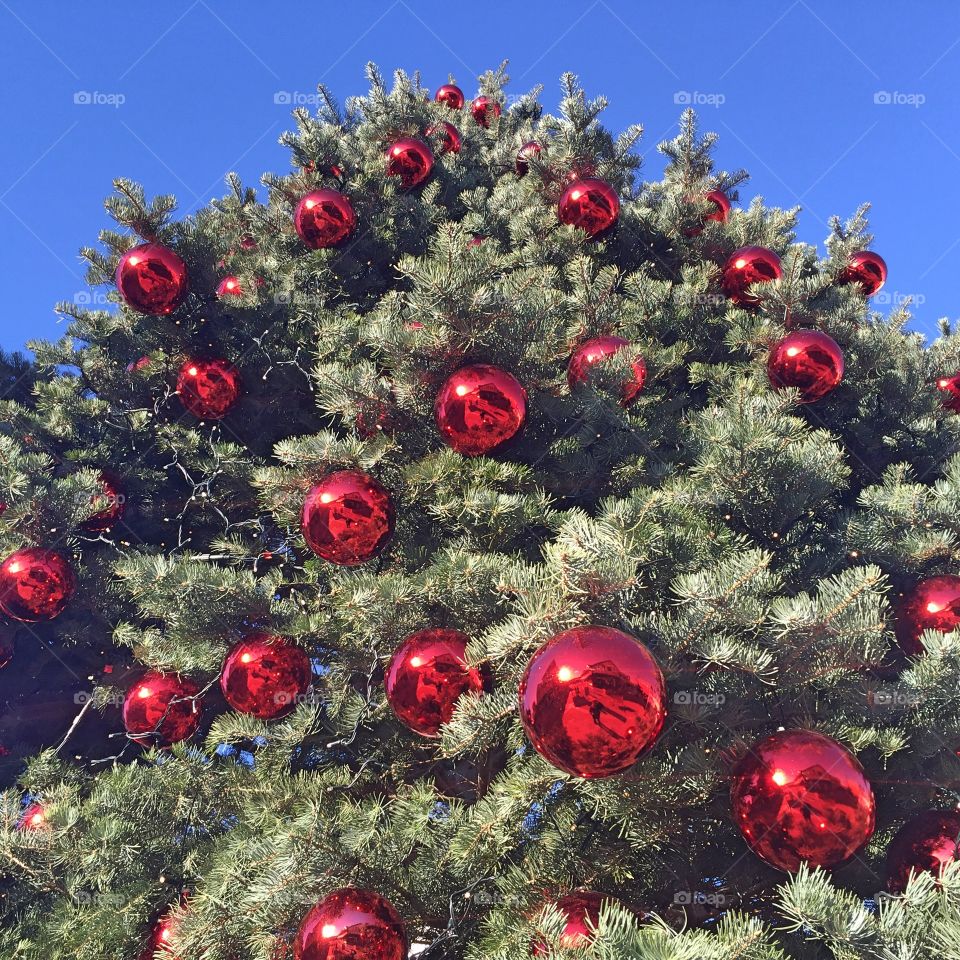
(473, 551)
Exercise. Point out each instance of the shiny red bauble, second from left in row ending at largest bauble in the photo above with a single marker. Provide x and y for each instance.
(265, 676)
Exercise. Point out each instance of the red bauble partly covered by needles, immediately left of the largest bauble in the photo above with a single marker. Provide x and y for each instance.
(426, 676)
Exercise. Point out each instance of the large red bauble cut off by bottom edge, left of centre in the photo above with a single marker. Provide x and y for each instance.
(352, 924)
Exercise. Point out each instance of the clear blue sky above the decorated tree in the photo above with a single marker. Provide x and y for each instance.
(791, 87)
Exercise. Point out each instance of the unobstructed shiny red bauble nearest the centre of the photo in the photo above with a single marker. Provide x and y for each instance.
(480, 407)
